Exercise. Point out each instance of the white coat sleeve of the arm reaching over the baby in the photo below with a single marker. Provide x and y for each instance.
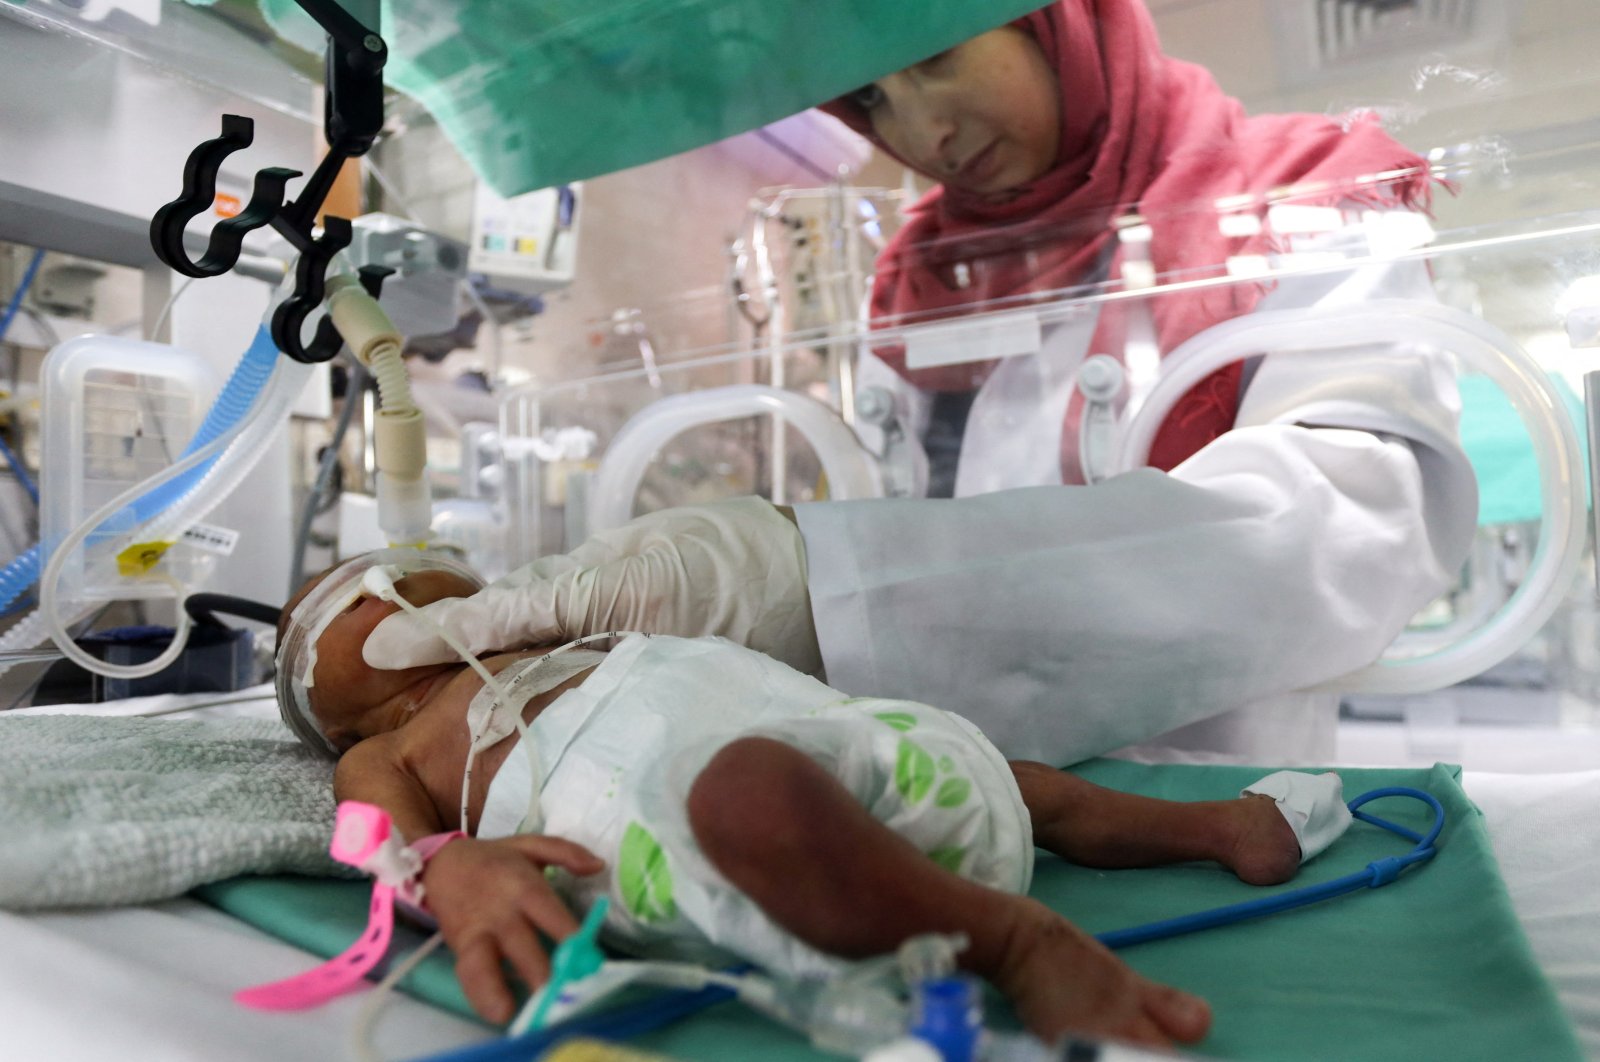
(1073, 621)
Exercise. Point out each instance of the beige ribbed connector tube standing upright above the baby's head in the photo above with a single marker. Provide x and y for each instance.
(406, 506)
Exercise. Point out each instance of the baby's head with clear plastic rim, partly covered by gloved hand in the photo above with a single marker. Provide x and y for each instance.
(327, 693)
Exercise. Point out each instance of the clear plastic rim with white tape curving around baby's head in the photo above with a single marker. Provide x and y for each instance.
(297, 658)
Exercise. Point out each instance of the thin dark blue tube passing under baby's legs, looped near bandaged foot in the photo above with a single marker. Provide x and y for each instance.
(665, 1008)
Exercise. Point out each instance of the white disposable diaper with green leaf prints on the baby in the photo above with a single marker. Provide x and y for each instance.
(622, 753)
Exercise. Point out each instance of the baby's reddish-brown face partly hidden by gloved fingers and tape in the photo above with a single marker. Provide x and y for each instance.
(346, 690)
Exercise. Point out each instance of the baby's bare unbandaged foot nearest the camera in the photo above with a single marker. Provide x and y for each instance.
(1062, 981)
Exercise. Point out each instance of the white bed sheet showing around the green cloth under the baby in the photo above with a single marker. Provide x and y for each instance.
(154, 983)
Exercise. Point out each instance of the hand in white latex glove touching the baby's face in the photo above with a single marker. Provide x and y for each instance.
(732, 569)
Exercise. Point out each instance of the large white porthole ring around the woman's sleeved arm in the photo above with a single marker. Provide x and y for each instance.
(1482, 348)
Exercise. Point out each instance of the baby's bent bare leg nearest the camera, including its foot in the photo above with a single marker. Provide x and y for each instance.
(802, 848)
